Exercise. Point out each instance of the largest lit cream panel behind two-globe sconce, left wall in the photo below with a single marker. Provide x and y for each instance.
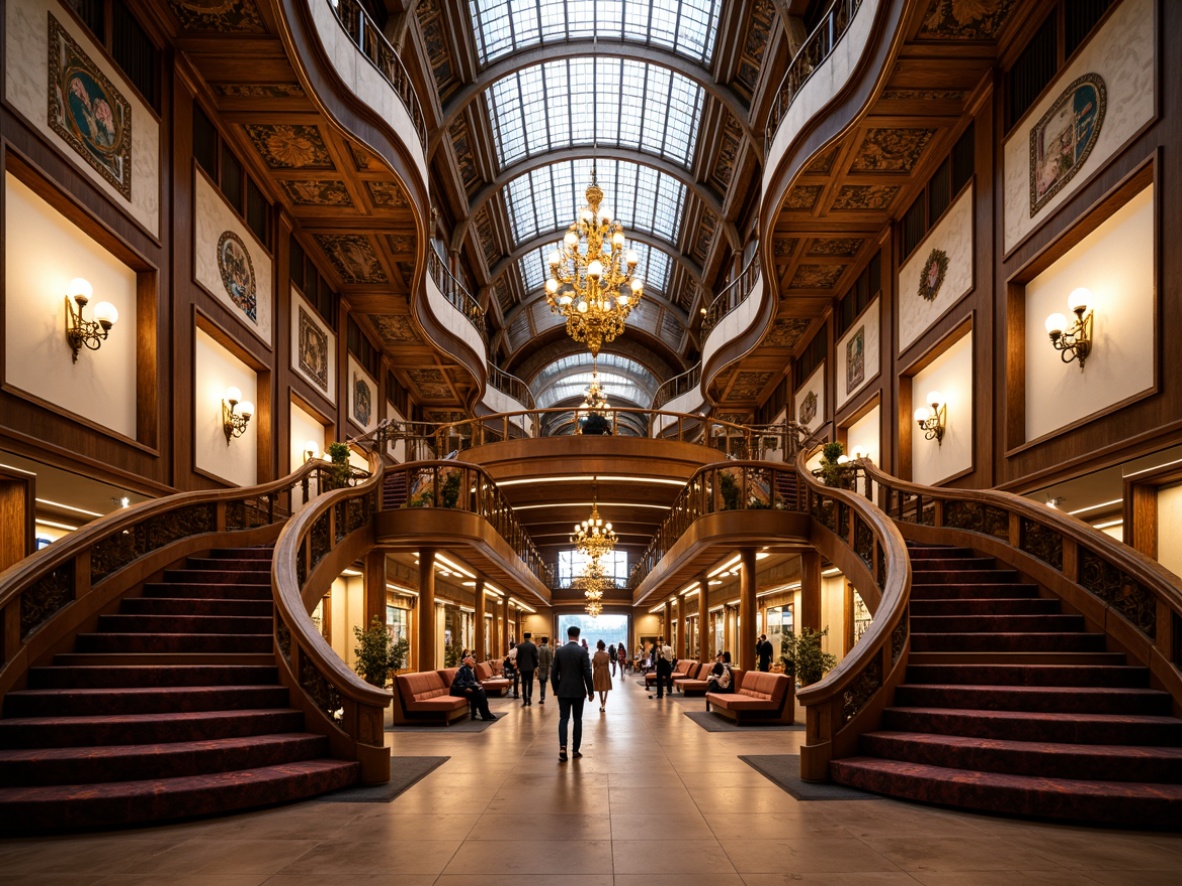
(43, 253)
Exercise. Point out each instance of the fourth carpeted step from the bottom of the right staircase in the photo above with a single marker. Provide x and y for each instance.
(1060, 700)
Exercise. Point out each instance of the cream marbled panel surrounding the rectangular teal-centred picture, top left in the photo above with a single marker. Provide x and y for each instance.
(27, 89)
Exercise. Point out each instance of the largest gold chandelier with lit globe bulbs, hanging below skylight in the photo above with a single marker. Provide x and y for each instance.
(594, 289)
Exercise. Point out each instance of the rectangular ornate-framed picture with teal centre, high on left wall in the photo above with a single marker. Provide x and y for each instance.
(88, 112)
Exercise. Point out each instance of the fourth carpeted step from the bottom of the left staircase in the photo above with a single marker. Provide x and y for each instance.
(141, 700)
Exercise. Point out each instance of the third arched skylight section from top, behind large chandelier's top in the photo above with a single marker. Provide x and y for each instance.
(641, 198)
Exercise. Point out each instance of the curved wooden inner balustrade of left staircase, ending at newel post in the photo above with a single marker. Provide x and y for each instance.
(311, 550)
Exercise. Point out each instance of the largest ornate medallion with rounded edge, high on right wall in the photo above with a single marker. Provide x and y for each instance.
(1064, 138)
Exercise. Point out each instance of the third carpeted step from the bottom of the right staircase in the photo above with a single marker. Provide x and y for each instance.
(1037, 726)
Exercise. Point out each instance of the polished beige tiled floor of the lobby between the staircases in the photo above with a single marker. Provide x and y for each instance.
(655, 802)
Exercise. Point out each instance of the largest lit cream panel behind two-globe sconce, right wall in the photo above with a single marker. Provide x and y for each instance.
(1116, 263)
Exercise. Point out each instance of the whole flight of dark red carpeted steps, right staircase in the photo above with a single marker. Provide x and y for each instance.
(1010, 706)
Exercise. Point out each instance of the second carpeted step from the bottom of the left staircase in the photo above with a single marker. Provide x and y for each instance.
(137, 763)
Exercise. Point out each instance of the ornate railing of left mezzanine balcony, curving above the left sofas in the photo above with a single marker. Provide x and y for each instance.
(467, 487)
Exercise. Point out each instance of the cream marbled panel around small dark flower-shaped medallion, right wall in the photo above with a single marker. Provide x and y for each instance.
(954, 237)
